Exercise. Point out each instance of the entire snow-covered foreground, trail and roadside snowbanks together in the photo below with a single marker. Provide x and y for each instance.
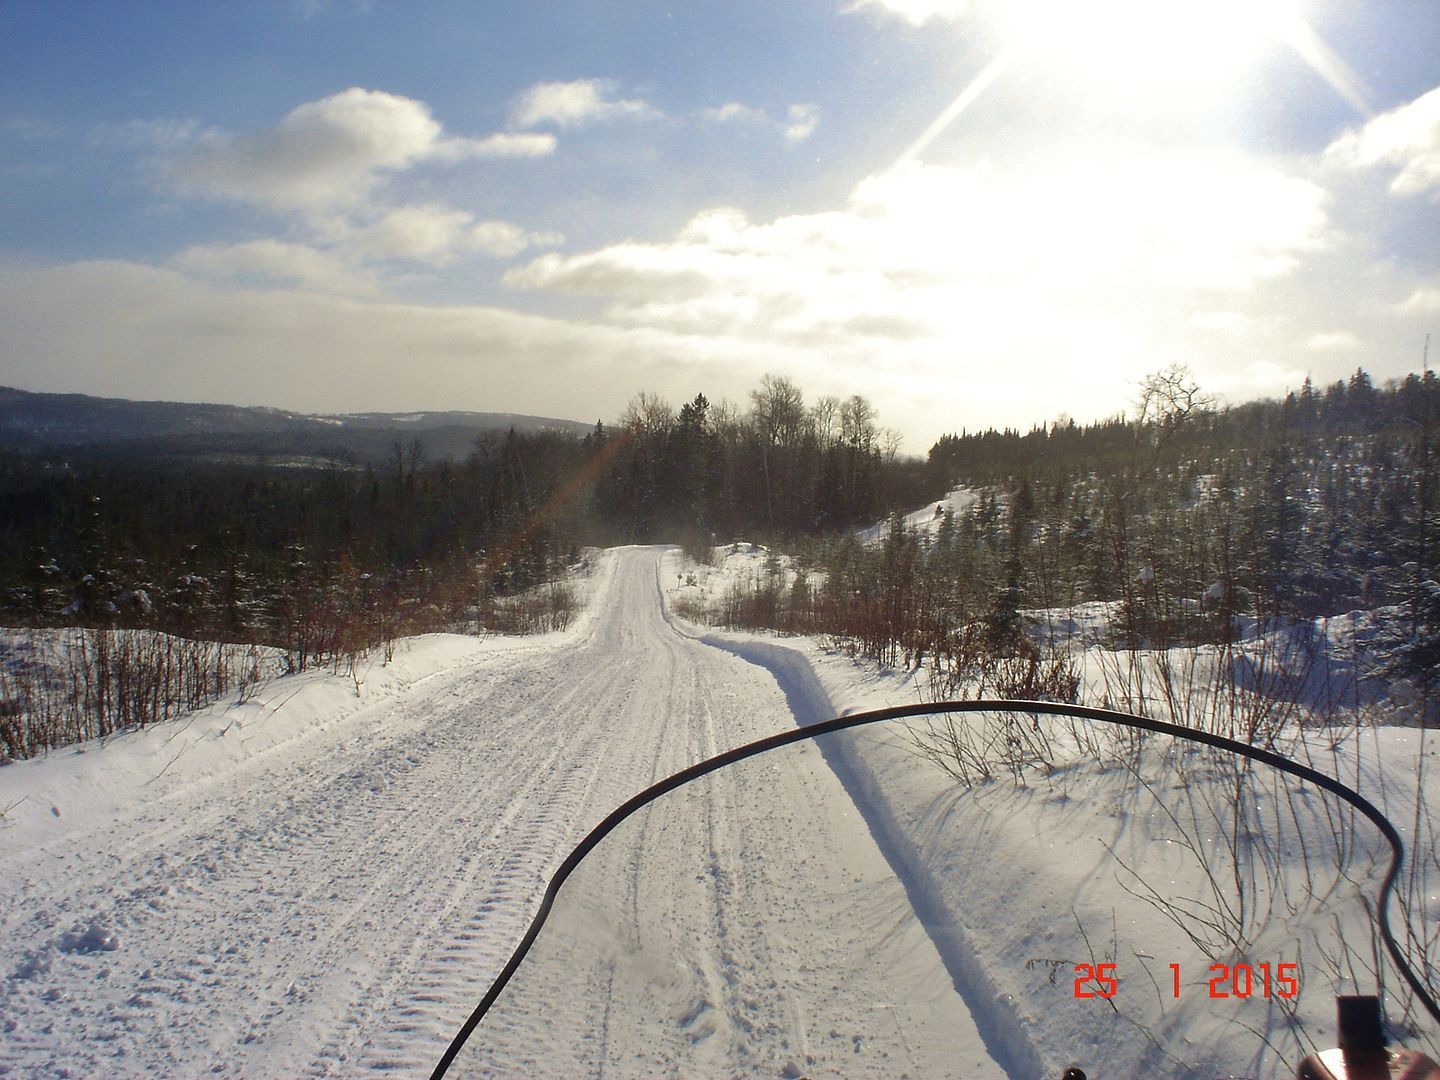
(323, 881)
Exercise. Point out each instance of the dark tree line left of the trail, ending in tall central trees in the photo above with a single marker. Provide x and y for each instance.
(325, 559)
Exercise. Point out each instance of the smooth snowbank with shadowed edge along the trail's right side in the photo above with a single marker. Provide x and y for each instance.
(1004, 908)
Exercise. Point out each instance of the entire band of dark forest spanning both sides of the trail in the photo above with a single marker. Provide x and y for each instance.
(1189, 518)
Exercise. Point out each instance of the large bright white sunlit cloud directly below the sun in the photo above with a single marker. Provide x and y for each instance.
(1081, 277)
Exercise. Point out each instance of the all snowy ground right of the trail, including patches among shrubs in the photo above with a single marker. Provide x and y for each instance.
(1023, 881)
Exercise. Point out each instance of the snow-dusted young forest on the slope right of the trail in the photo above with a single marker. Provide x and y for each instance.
(1192, 523)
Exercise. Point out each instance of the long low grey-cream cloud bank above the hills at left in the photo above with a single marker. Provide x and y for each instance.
(142, 332)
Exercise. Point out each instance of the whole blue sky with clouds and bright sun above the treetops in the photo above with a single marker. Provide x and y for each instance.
(986, 214)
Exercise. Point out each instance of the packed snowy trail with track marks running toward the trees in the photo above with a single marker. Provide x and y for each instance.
(335, 904)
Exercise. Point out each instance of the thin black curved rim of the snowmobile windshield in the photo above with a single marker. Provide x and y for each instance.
(862, 719)
